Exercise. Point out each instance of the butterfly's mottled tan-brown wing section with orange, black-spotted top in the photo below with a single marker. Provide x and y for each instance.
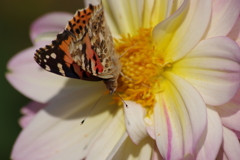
(92, 46)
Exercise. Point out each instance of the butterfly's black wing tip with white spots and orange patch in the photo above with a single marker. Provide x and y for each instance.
(56, 58)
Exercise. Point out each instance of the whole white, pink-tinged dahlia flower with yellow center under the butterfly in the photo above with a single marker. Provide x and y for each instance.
(180, 80)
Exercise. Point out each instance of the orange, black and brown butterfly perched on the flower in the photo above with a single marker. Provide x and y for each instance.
(84, 50)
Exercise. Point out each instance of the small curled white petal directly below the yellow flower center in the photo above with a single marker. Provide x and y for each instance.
(136, 127)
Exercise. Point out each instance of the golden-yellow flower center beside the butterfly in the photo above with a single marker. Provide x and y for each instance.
(142, 67)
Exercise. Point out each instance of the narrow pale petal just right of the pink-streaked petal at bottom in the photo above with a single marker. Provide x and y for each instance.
(211, 143)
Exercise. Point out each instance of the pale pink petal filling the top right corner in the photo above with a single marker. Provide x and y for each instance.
(224, 16)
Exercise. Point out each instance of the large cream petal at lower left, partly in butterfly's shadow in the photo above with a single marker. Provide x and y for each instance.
(55, 133)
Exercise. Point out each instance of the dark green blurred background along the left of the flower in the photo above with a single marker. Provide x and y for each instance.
(16, 17)
